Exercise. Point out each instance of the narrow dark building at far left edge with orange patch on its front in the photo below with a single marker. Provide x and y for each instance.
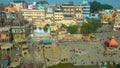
(5, 34)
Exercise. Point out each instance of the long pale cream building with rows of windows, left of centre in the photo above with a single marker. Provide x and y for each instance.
(34, 15)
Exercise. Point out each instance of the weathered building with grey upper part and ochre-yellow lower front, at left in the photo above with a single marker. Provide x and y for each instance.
(20, 30)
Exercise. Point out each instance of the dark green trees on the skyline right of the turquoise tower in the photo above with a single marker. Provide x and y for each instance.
(97, 6)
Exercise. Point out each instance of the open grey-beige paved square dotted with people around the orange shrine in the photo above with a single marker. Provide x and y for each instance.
(91, 52)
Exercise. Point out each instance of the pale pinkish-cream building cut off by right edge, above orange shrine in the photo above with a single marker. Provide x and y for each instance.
(116, 25)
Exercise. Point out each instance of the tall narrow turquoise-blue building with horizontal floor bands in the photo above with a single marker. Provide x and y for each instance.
(86, 9)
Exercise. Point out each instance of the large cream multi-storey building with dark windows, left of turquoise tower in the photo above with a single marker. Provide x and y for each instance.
(67, 13)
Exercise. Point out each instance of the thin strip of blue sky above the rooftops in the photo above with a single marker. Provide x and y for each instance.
(114, 3)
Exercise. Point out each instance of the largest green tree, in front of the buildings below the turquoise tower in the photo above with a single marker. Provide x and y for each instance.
(90, 27)
